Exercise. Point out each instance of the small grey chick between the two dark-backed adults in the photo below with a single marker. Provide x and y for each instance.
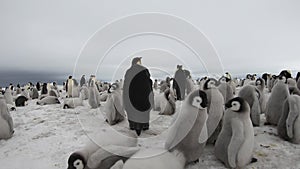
(165, 102)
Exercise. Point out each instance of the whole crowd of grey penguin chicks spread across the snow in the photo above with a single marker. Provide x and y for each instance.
(220, 112)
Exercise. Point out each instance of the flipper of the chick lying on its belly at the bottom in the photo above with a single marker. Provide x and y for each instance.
(118, 152)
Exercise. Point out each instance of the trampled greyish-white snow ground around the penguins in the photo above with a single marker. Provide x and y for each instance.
(45, 136)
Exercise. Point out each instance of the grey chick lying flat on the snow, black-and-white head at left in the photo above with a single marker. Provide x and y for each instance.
(104, 151)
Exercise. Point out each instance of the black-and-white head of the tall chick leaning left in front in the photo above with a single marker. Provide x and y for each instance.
(198, 99)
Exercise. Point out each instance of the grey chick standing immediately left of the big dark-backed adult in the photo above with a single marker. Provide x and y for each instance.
(113, 107)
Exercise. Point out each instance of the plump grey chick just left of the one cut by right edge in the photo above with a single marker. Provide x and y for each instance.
(275, 103)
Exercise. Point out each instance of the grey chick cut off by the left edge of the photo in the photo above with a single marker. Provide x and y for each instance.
(6, 122)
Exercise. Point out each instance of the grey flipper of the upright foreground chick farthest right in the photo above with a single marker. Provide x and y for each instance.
(236, 141)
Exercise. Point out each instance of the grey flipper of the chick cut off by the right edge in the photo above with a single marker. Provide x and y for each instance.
(293, 114)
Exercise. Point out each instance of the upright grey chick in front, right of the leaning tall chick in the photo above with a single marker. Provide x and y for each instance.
(234, 146)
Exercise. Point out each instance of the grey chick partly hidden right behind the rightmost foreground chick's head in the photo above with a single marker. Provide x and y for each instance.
(251, 95)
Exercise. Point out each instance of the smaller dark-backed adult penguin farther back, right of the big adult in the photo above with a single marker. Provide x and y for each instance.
(179, 83)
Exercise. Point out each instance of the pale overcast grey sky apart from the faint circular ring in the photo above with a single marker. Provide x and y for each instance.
(48, 35)
